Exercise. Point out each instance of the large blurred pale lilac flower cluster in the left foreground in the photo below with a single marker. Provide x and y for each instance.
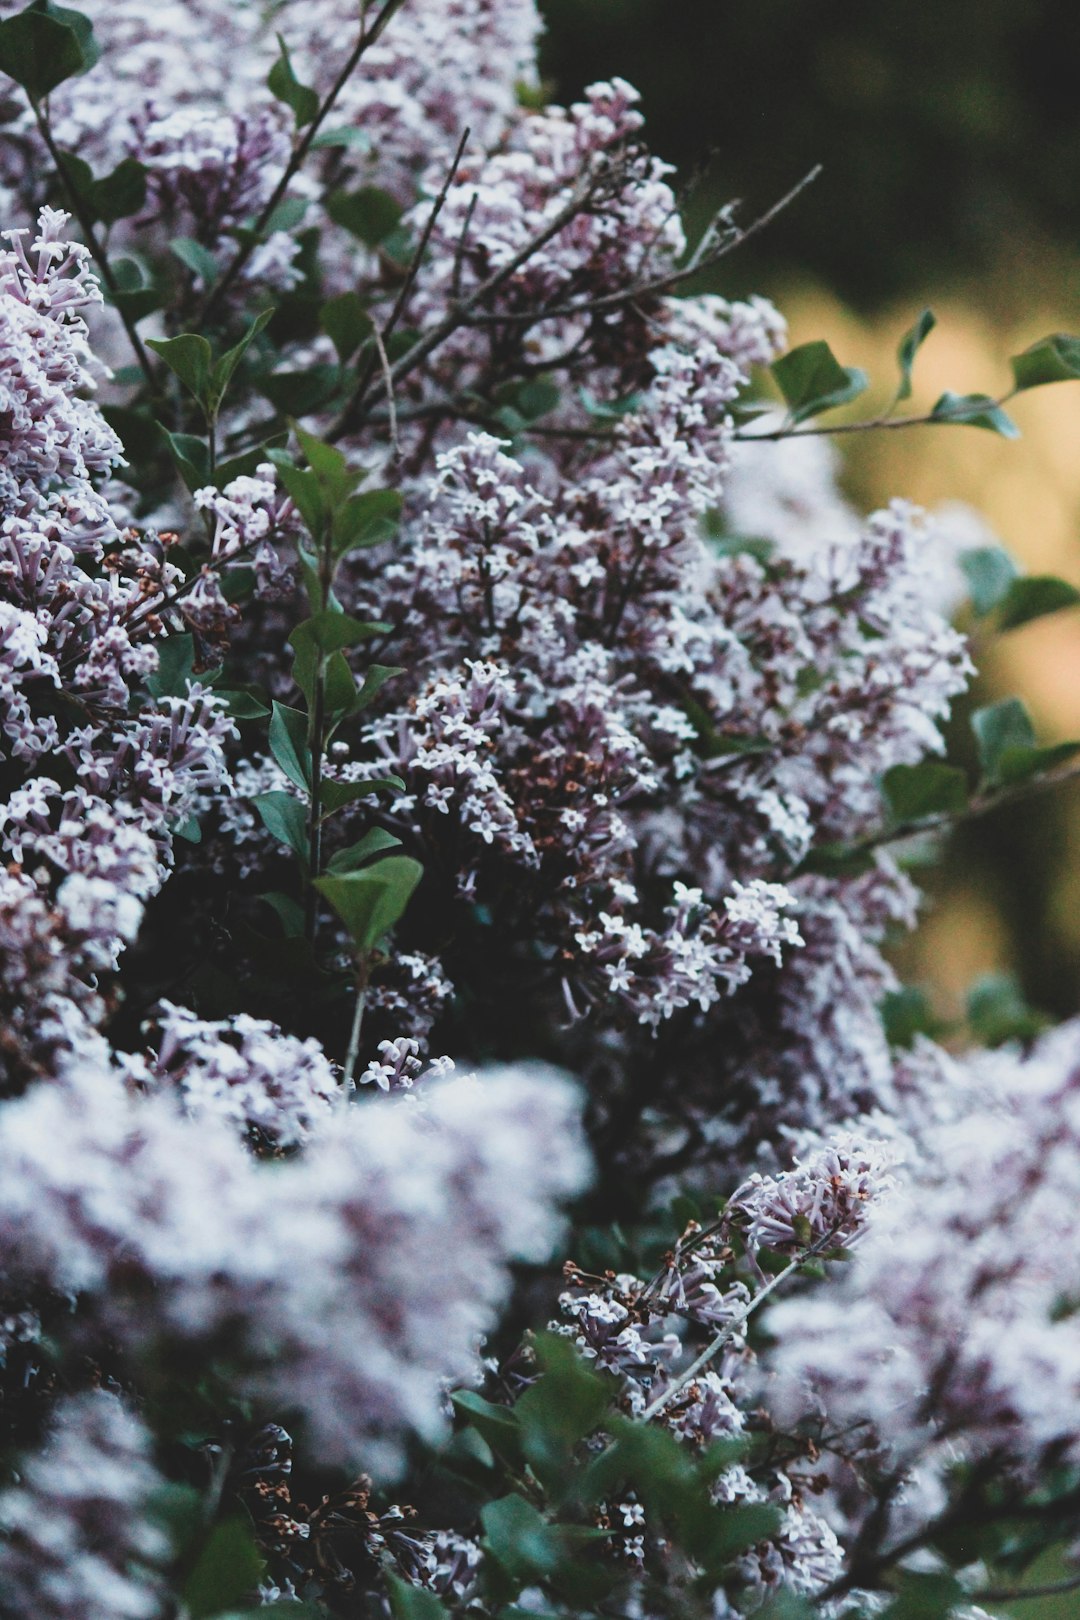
(349, 1282)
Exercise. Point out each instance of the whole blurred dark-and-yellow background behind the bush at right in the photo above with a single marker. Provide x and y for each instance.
(950, 134)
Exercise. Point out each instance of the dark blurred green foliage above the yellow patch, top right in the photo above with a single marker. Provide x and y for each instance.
(945, 127)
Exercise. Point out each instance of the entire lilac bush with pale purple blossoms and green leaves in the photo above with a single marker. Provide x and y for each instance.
(461, 764)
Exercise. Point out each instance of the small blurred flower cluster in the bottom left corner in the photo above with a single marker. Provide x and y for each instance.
(77, 1541)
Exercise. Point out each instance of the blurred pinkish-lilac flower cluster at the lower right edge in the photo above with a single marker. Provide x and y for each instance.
(955, 1334)
